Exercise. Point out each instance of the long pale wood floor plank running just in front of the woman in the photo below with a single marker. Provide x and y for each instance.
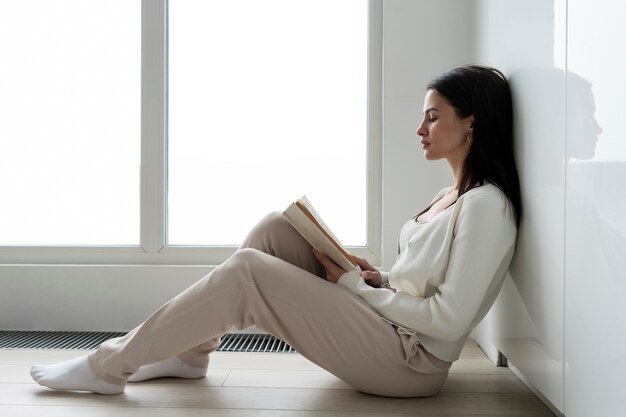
(183, 397)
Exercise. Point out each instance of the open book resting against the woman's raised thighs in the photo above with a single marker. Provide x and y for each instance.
(309, 224)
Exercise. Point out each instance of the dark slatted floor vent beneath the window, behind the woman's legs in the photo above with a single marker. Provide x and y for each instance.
(231, 342)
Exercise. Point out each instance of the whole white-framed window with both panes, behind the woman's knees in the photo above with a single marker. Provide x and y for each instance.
(137, 148)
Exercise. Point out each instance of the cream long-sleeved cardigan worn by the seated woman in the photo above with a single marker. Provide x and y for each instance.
(449, 273)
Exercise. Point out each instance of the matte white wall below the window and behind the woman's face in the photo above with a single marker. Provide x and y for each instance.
(58, 297)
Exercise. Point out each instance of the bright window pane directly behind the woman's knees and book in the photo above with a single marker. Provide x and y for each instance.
(267, 102)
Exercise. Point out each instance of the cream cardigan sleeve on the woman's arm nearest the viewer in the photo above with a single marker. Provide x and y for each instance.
(482, 246)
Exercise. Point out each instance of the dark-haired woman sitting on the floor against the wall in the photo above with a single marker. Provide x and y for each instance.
(391, 334)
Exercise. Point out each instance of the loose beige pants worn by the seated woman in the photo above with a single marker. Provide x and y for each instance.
(274, 282)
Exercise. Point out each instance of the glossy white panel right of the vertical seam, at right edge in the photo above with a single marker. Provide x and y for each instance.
(595, 240)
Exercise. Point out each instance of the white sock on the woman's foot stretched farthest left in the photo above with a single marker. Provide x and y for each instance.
(73, 375)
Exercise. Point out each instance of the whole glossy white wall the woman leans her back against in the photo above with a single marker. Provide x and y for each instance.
(560, 321)
